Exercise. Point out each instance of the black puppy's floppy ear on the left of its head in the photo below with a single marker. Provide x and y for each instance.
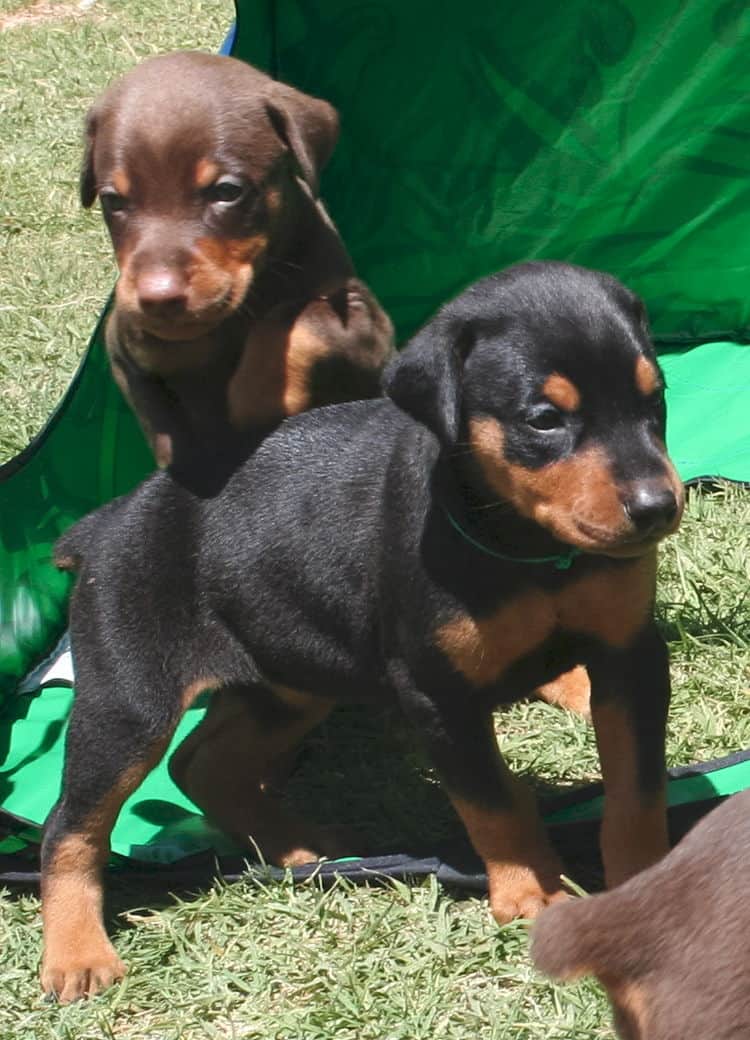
(426, 379)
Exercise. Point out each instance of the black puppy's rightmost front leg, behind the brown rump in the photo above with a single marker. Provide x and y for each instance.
(630, 701)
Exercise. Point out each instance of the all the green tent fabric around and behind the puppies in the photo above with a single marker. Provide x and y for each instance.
(613, 135)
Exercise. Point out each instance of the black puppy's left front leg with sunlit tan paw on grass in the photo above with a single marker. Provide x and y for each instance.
(498, 811)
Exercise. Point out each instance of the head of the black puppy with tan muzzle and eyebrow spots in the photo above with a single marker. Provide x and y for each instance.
(547, 376)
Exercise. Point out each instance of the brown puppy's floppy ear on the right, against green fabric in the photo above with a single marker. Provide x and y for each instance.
(308, 126)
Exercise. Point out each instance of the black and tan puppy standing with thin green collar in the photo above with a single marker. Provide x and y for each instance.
(490, 525)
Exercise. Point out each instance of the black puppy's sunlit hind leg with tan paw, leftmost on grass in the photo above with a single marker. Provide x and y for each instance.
(113, 743)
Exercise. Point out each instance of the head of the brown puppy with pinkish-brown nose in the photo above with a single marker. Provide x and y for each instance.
(200, 164)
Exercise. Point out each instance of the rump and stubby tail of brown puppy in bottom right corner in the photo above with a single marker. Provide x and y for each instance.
(671, 946)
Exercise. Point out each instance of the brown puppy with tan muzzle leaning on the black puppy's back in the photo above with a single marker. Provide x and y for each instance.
(237, 304)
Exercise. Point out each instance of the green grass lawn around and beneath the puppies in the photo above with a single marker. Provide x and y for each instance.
(264, 959)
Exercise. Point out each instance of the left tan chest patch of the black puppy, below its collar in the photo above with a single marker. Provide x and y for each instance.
(483, 649)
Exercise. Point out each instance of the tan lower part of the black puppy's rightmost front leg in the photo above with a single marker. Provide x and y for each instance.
(634, 834)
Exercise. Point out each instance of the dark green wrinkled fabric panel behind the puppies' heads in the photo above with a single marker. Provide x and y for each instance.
(611, 134)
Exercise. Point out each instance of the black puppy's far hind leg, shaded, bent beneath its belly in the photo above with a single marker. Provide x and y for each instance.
(228, 766)
